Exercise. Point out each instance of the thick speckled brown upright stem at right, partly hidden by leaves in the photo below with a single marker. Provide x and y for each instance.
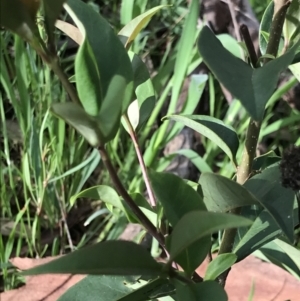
(245, 167)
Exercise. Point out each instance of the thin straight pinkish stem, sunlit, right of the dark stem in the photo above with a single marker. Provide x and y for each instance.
(141, 160)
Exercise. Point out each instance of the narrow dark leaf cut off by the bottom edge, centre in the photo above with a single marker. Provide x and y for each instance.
(154, 289)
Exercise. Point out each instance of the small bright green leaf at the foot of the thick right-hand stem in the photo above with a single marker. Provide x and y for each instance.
(219, 265)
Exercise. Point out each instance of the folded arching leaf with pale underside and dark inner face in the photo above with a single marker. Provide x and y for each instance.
(221, 134)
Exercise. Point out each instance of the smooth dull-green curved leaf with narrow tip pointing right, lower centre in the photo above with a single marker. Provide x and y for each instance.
(197, 224)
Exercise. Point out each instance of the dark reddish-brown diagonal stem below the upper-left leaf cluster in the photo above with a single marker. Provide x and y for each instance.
(127, 198)
